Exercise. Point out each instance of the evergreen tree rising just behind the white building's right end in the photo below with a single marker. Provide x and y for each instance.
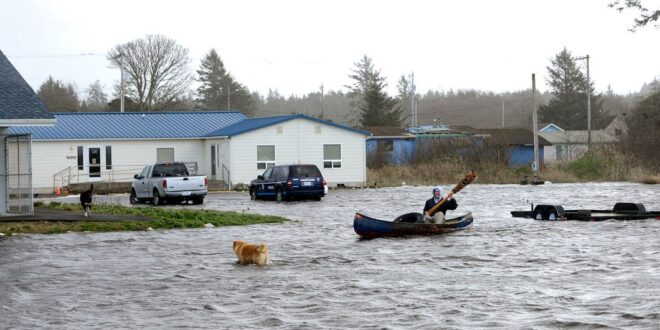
(368, 96)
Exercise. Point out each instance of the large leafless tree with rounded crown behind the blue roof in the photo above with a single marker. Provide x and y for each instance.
(158, 69)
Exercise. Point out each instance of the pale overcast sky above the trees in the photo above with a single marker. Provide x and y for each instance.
(295, 46)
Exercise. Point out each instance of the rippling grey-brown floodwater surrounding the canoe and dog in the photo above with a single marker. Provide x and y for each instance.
(502, 273)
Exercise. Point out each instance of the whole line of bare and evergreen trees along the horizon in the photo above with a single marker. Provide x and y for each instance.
(158, 78)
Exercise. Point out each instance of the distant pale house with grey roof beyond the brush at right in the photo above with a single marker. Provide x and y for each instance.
(572, 144)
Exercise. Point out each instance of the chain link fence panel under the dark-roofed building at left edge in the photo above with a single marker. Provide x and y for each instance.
(18, 155)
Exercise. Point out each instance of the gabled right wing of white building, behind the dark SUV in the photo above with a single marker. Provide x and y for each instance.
(253, 145)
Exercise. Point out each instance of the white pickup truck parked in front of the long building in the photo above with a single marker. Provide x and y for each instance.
(168, 182)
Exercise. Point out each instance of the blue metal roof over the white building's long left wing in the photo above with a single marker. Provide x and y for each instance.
(131, 125)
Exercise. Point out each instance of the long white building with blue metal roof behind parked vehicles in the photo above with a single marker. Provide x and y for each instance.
(224, 146)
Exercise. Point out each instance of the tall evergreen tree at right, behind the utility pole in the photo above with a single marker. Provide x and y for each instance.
(568, 106)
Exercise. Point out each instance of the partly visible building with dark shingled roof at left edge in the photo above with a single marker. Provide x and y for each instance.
(19, 106)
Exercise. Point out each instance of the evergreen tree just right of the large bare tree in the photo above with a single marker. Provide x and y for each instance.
(219, 90)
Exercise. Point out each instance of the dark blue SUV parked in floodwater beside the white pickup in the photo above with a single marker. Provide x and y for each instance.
(289, 181)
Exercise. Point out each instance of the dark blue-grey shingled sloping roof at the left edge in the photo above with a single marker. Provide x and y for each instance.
(17, 99)
